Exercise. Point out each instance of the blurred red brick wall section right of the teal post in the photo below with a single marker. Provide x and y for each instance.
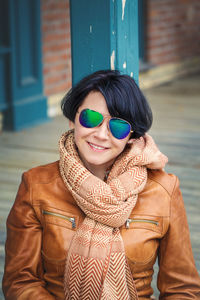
(173, 28)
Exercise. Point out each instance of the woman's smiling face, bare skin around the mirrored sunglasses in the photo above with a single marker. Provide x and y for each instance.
(97, 147)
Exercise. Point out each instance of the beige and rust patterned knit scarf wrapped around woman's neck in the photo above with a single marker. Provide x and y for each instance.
(96, 266)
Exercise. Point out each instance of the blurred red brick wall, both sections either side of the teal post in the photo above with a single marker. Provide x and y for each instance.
(173, 28)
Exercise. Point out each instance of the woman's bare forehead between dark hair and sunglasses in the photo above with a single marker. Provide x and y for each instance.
(95, 101)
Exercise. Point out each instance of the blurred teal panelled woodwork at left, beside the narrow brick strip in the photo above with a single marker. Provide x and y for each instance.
(24, 103)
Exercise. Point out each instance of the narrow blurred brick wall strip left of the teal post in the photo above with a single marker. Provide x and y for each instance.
(56, 46)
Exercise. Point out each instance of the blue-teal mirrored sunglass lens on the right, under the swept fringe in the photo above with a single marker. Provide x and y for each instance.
(119, 128)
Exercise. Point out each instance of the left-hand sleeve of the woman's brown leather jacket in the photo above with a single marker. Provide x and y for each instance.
(23, 275)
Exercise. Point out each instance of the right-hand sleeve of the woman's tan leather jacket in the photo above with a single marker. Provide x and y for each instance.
(178, 277)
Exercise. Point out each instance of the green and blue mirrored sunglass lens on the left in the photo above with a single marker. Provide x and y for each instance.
(90, 118)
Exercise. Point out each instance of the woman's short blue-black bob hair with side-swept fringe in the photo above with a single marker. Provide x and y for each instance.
(123, 97)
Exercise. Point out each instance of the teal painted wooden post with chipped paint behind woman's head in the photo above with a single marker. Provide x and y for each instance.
(104, 35)
